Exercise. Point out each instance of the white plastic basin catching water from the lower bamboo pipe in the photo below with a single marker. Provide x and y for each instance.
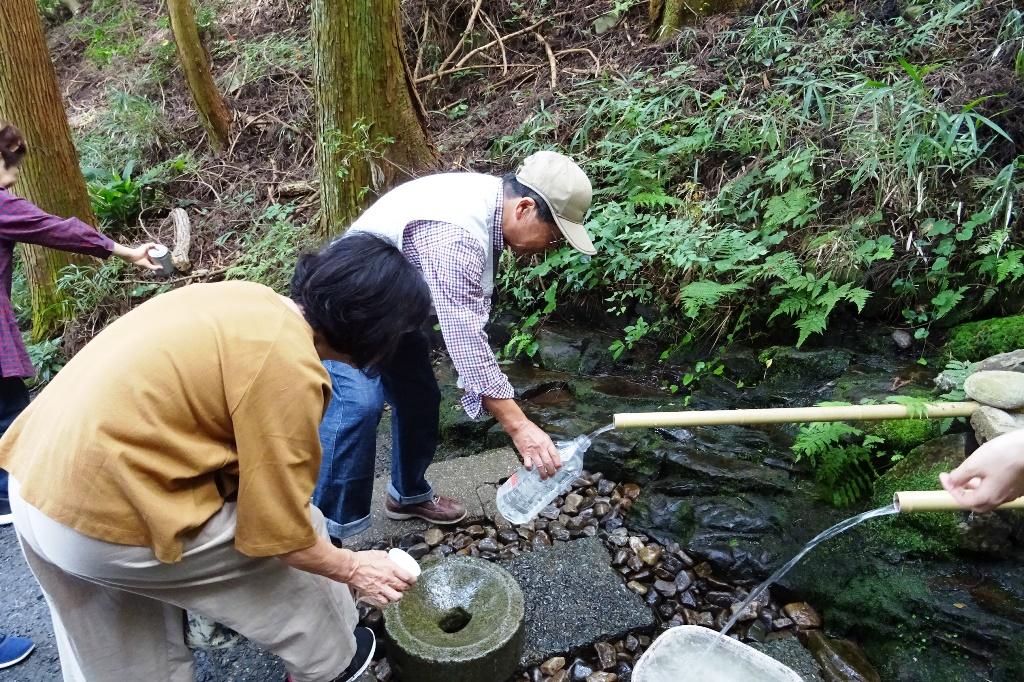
(693, 653)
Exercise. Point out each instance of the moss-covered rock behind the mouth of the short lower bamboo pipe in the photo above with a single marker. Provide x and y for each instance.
(936, 534)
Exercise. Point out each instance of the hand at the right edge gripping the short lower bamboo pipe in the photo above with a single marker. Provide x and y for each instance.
(992, 477)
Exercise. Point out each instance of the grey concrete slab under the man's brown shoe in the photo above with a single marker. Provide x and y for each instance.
(474, 480)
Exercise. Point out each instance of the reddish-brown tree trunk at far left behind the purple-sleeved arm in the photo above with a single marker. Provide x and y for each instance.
(51, 176)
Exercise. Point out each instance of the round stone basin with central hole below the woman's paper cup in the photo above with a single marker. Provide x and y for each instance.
(463, 622)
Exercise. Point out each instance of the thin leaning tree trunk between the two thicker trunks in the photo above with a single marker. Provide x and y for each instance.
(196, 63)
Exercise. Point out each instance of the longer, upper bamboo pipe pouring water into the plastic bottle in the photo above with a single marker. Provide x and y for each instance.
(850, 413)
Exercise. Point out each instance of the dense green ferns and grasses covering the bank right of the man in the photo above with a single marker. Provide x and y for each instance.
(852, 180)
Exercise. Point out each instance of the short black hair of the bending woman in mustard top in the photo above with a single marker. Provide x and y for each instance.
(362, 295)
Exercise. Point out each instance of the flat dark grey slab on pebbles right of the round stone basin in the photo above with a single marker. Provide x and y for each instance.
(574, 599)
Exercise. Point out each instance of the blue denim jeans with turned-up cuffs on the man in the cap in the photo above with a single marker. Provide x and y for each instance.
(349, 436)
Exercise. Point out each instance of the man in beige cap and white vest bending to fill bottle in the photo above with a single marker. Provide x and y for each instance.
(453, 227)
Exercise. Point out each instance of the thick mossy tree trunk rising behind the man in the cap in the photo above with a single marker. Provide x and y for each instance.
(370, 120)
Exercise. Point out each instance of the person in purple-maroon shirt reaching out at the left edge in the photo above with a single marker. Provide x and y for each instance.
(23, 222)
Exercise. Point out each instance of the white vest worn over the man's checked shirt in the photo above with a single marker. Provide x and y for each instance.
(466, 200)
